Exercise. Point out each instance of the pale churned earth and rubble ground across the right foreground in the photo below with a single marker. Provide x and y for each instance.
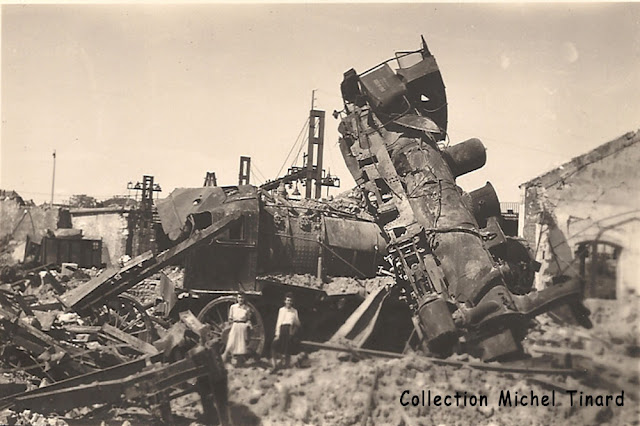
(361, 387)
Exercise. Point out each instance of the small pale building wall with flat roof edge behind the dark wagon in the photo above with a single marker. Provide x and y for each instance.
(110, 225)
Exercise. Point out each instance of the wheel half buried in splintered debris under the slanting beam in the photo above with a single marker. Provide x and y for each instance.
(126, 314)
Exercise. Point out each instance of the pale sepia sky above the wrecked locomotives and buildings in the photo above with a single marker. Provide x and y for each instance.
(178, 90)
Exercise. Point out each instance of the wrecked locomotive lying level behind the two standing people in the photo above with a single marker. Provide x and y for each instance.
(269, 235)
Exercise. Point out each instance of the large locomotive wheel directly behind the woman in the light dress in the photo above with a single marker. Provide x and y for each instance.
(216, 315)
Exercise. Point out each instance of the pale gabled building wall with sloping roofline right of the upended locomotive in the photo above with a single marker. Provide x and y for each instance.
(595, 197)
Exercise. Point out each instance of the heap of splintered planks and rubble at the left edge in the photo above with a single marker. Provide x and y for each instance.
(44, 341)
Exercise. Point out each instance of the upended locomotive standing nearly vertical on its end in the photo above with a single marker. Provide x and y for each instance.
(453, 265)
